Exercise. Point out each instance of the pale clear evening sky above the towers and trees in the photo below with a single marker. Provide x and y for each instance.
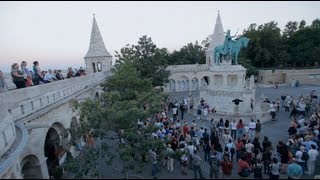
(57, 34)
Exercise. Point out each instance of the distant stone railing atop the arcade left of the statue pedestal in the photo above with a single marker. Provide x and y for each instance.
(188, 68)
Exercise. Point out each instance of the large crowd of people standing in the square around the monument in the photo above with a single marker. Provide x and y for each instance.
(227, 144)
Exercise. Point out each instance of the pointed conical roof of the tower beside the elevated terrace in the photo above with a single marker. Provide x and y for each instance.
(97, 47)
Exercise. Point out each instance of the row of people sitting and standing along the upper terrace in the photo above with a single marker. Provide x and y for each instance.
(23, 77)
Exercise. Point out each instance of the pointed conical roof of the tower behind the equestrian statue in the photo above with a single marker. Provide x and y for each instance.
(217, 36)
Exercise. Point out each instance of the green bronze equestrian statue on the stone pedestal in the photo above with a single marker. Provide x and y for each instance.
(230, 48)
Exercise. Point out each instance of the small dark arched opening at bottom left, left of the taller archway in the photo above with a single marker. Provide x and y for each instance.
(31, 168)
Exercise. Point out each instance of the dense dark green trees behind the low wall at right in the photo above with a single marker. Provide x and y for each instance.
(269, 47)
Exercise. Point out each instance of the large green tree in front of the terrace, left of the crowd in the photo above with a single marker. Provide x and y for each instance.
(127, 99)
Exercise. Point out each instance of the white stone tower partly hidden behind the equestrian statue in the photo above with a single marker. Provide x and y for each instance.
(216, 39)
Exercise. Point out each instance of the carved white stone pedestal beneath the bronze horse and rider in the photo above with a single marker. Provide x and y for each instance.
(226, 83)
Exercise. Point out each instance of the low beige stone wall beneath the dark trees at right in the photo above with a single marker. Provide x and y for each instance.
(304, 76)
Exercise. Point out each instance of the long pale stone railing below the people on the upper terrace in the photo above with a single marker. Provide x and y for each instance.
(21, 103)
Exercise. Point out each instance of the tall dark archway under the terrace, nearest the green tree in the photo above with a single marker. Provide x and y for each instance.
(55, 146)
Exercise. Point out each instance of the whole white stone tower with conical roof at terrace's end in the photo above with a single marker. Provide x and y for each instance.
(97, 58)
